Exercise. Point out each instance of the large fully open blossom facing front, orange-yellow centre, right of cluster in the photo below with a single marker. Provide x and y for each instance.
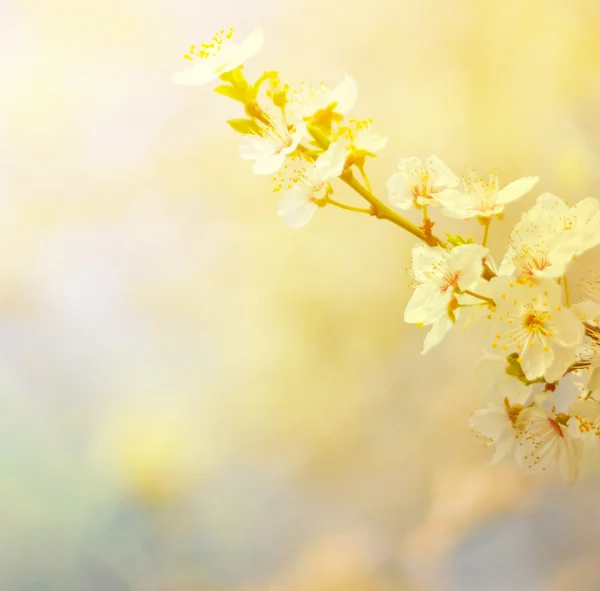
(531, 321)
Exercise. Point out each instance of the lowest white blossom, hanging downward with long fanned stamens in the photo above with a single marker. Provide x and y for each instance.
(545, 437)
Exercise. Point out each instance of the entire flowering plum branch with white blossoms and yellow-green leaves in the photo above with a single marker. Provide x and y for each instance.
(306, 140)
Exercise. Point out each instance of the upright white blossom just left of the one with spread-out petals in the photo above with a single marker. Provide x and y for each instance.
(418, 184)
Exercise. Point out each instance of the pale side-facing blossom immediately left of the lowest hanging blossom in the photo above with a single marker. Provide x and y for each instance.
(505, 396)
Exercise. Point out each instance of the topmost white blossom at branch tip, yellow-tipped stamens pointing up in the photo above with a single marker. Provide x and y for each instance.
(221, 55)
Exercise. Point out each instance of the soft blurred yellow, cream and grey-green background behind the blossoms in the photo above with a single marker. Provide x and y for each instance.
(193, 396)
